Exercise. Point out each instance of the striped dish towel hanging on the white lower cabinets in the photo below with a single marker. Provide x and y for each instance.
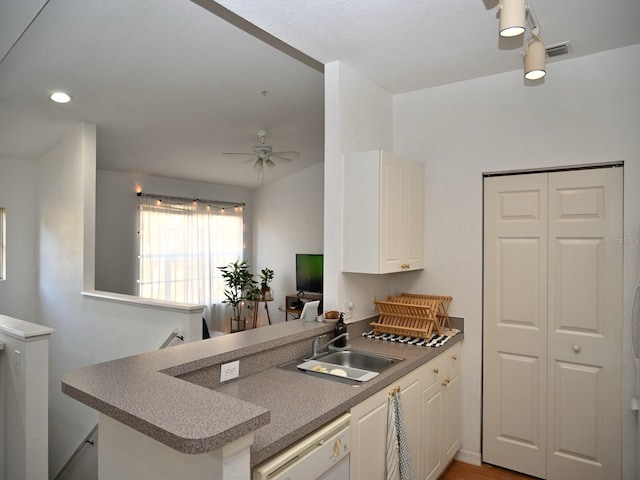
(398, 454)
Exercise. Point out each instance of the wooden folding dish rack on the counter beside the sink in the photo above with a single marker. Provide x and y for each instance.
(413, 314)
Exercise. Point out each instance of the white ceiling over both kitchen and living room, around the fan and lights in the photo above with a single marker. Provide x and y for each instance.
(171, 86)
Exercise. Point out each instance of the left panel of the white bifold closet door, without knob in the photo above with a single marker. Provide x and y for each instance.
(515, 323)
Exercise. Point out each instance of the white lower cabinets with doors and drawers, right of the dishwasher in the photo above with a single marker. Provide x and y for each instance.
(431, 410)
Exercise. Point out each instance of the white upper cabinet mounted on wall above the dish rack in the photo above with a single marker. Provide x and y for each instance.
(383, 213)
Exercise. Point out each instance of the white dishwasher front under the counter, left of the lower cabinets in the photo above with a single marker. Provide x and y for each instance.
(323, 455)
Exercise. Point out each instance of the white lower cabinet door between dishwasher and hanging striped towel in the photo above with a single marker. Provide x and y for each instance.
(369, 438)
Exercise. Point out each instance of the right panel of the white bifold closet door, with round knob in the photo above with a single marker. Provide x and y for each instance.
(585, 322)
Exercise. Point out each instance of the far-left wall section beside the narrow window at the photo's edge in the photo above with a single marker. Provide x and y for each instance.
(17, 196)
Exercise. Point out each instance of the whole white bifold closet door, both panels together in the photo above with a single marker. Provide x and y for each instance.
(552, 323)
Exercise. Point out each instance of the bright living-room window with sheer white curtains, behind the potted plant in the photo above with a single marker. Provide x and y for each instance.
(182, 244)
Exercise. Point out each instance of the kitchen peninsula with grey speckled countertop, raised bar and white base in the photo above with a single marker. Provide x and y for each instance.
(165, 413)
